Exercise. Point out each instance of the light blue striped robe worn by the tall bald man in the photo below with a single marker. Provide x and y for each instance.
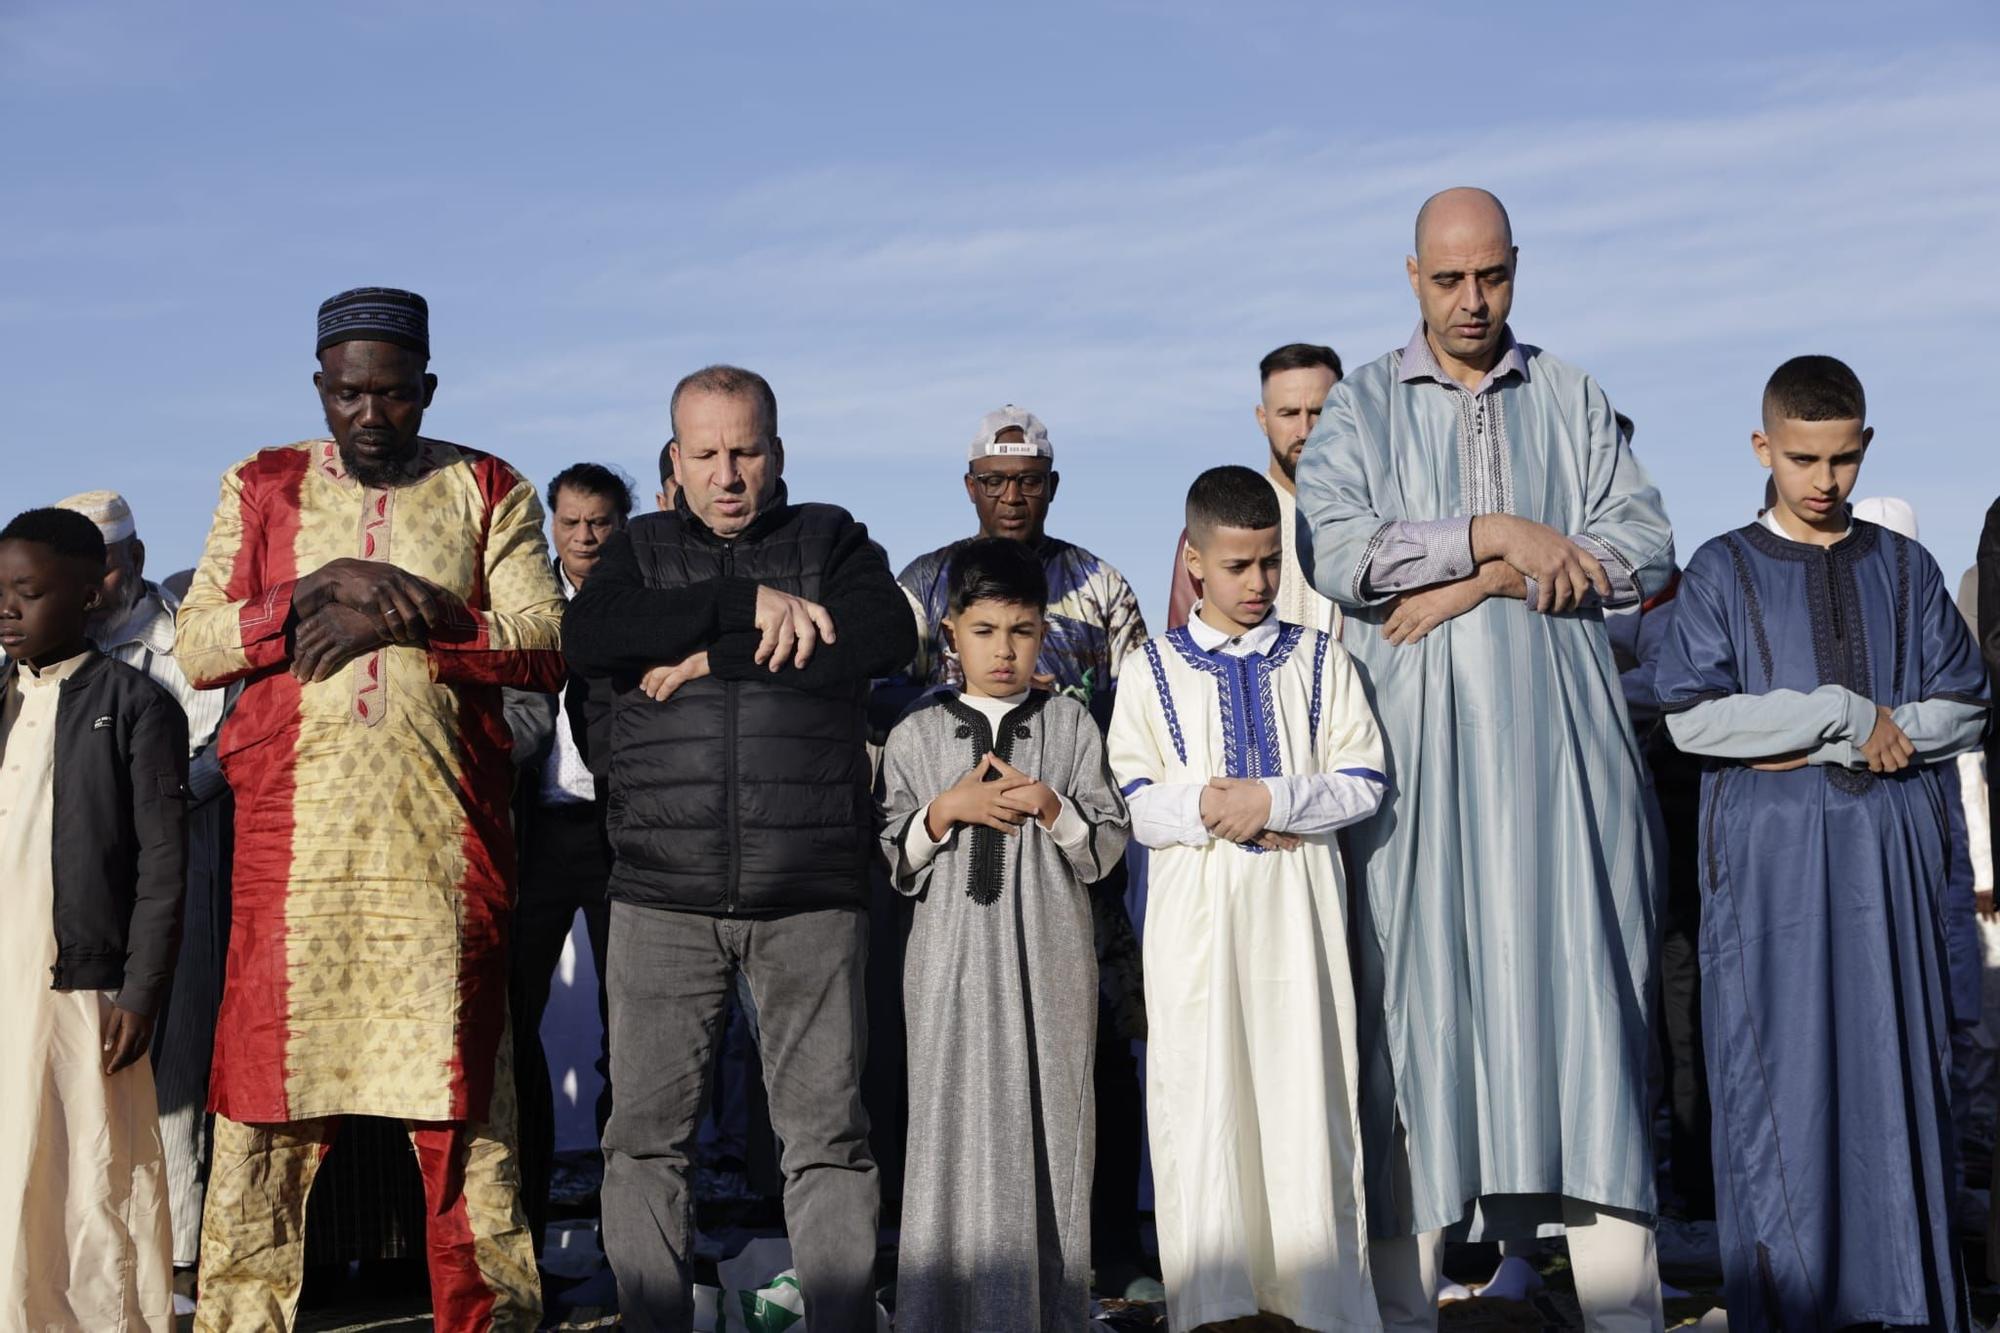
(1505, 892)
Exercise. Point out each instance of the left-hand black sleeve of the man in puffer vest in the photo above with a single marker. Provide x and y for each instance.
(619, 627)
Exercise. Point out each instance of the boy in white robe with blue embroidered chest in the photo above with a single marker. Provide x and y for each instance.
(1243, 746)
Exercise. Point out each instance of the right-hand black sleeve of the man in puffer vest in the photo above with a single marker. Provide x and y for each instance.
(875, 629)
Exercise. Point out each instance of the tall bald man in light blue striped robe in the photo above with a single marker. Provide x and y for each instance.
(1473, 507)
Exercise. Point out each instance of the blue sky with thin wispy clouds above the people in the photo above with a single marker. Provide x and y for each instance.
(907, 215)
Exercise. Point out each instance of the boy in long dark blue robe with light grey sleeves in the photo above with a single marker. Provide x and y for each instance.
(1819, 668)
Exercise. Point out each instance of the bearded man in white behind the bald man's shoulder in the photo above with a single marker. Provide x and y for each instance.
(1295, 385)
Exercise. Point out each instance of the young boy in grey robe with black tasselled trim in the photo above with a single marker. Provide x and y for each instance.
(1001, 814)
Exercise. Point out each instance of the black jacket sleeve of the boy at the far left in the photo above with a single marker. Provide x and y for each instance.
(161, 820)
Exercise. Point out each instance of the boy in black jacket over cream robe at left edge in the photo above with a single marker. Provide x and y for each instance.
(93, 798)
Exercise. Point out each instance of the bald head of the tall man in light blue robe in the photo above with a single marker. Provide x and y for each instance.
(1463, 275)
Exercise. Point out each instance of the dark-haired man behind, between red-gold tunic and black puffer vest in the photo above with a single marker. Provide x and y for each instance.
(565, 858)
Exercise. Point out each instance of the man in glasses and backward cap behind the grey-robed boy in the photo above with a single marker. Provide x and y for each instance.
(1093, 625)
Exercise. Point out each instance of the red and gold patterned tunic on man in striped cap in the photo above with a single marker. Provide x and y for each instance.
(375, 864)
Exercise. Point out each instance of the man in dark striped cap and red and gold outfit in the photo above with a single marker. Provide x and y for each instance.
(373, 591)
